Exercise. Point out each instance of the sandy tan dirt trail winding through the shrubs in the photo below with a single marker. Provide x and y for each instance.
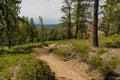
(69, 70)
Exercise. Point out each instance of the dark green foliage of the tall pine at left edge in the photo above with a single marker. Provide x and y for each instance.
(8, 20)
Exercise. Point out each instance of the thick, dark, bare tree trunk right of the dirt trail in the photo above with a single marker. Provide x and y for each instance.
(95, 27)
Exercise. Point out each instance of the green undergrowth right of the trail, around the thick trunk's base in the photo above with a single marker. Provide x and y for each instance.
(90, 55)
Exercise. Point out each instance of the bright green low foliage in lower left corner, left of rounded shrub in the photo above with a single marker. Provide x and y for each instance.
(8, 62)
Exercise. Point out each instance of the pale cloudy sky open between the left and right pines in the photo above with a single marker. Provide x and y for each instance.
(50, 10)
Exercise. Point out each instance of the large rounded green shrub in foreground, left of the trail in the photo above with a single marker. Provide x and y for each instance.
(34, 69)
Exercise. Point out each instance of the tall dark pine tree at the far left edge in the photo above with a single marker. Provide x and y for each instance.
(10, 10)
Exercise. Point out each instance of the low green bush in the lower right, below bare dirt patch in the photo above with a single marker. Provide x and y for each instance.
(105, 67)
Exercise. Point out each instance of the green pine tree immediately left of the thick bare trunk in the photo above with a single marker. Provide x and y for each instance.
(79, 14)
